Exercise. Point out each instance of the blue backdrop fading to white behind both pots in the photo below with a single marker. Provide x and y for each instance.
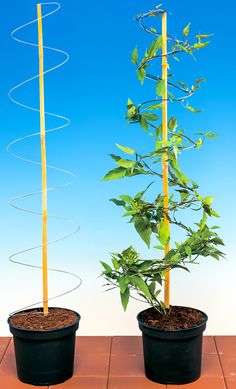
(92, 90)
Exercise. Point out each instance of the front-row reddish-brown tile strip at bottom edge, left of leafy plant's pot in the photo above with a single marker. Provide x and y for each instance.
(133, 383)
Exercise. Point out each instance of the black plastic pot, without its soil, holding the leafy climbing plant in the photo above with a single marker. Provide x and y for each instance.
(172, 356)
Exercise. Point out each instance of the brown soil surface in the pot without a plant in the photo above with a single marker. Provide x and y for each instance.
(36, 320)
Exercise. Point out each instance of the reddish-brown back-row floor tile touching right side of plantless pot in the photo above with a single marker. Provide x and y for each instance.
(92, 355)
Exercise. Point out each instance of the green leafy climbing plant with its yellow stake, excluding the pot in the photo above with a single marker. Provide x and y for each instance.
(152, 219)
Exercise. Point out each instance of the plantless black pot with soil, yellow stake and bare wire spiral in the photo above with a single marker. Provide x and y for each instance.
(44, 338)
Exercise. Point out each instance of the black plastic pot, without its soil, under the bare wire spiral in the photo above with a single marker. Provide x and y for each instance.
(44, 357)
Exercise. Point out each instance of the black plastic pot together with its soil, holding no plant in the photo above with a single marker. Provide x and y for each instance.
(44, 356)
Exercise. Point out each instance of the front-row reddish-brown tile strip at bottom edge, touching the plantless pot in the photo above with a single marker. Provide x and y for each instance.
(83, 383)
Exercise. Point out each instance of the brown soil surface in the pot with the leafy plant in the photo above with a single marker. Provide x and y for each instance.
(177, 318)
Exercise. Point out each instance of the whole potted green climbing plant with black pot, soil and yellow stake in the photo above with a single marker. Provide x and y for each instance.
(172, 335)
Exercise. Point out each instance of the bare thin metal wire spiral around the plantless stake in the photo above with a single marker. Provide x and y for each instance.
(10, 148)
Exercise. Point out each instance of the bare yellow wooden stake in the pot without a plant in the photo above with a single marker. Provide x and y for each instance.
(43, 162)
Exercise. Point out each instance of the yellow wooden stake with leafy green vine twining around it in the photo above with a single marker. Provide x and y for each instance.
(164, 156)
